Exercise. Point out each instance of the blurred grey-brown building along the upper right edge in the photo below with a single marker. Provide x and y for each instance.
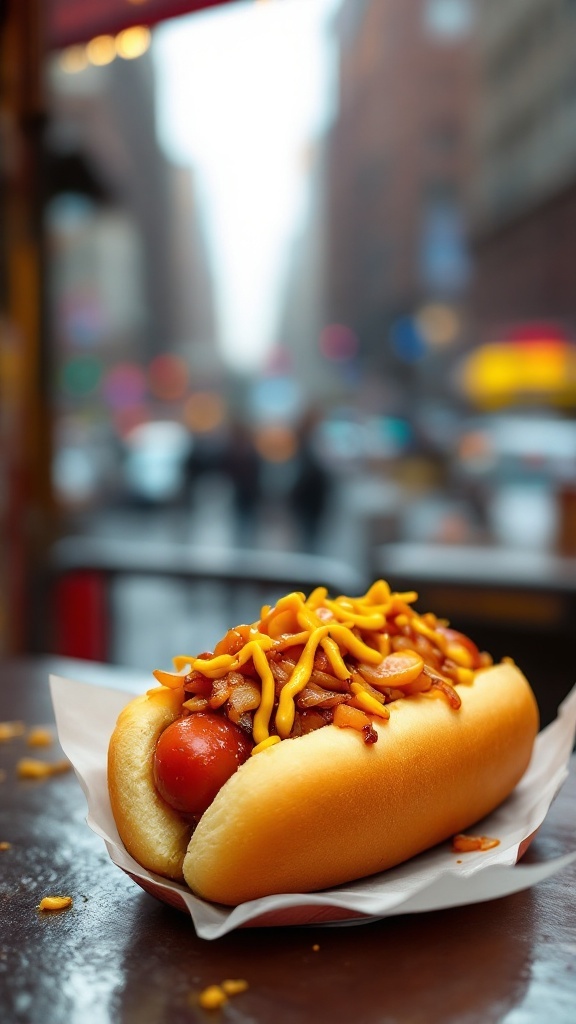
(524, 185)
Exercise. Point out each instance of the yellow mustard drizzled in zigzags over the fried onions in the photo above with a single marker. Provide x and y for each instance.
(314, 622)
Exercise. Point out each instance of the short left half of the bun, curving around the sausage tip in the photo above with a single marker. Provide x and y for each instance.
(155, 835)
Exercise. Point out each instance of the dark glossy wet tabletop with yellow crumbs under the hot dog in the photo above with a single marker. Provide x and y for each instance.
(118, 956)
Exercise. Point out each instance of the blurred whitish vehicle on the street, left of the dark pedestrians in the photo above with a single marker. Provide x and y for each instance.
(155, 463)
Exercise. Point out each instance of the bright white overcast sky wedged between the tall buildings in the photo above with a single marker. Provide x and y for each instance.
(241, 92)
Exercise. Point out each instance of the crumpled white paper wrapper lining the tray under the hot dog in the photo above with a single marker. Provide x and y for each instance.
(87, 715)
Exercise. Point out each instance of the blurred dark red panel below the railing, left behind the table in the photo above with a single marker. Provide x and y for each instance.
(80, 617)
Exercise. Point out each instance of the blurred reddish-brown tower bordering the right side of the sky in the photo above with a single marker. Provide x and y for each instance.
(400, 162)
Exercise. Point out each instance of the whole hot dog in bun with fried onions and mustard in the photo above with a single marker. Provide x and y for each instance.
(330, 741)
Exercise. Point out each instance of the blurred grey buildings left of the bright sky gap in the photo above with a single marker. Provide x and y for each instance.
(132, 320)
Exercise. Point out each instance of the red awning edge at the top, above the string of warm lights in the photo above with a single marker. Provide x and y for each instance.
(70, 22)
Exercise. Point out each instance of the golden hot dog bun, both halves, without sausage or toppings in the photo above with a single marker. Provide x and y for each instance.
(325, 808)
